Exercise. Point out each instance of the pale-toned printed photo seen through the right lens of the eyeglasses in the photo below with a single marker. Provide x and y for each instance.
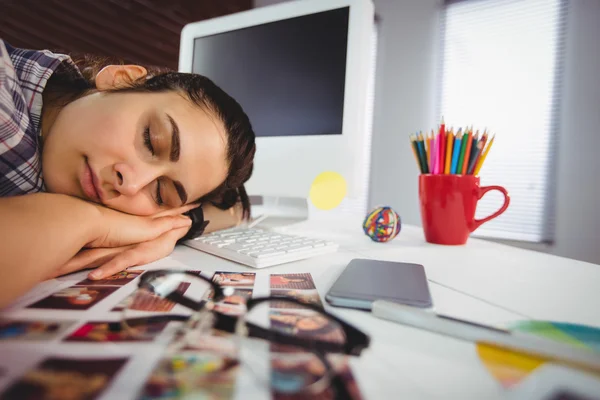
(307, 325)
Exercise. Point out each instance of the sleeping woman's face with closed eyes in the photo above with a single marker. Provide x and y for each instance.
(134, 152)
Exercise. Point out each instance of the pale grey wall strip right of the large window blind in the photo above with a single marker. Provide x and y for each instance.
(578, 191)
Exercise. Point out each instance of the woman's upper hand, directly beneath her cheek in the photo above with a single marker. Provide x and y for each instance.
(118, 229)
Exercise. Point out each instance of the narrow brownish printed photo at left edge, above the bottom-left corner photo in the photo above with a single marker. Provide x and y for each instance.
(32, 330)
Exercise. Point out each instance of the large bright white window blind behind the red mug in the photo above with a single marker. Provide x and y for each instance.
(501, 70)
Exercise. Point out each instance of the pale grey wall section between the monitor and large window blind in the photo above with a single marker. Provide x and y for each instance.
(405, 92)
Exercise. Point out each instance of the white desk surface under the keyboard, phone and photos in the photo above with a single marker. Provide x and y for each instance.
(481, 281)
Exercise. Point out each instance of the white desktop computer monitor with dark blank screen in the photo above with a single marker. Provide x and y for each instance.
(300, 71)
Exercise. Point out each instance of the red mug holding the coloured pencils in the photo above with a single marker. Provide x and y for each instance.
(448, 204)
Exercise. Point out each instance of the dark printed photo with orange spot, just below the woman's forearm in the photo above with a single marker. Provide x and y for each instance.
(75, 298)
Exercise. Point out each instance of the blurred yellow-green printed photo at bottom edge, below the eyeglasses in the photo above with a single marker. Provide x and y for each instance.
(192, 375)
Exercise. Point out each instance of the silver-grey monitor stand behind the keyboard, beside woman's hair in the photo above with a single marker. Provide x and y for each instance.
(280, 211)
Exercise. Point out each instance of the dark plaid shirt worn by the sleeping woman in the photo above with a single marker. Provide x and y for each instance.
(23, 76)
